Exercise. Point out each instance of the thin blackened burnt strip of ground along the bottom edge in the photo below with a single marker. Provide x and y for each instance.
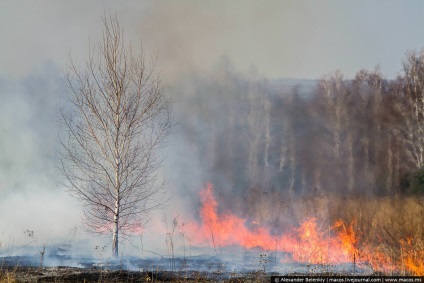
(73, 274)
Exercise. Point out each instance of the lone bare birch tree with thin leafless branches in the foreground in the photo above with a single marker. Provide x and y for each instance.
(114, 125)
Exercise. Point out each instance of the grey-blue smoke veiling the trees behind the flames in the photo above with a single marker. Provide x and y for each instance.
(266, 143)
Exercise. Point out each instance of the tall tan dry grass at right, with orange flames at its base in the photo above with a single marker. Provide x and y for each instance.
(389, 230)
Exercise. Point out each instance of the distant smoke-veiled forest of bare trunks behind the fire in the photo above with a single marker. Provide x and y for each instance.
(362, 136)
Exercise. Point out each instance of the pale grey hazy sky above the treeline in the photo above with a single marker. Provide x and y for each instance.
(297, 39)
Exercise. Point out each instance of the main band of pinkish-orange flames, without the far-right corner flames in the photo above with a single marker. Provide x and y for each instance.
(308, 243)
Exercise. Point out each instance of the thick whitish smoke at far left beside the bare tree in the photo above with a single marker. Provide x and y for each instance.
(31, 195)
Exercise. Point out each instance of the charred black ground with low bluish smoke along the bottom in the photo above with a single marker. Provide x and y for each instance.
(233, 266)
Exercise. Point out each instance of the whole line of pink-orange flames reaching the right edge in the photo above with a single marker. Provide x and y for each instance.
(311, 242)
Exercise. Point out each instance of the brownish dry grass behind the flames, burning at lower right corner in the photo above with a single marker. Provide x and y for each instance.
(389, 230)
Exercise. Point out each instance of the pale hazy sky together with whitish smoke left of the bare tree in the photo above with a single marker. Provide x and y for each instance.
(280, 39)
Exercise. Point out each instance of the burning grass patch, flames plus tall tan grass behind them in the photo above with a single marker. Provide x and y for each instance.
(382, 234)
